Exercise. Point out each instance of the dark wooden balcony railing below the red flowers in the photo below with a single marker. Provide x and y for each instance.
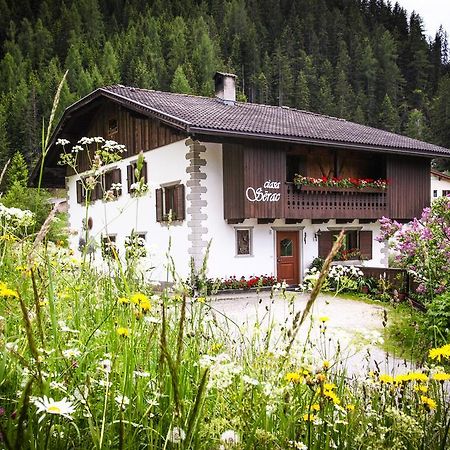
(338, 203)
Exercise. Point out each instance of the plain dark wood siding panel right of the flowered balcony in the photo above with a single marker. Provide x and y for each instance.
(409, 189)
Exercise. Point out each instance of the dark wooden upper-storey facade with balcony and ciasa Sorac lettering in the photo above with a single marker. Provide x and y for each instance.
(248, 167)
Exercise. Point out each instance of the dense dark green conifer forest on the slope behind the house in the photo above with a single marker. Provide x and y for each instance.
(363, 60)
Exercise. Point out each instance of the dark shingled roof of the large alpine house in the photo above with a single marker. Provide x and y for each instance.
(210, 116)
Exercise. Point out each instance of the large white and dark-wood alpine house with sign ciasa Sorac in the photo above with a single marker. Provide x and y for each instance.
(221, 172)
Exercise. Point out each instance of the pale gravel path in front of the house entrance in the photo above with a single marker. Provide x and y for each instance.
(357, 326)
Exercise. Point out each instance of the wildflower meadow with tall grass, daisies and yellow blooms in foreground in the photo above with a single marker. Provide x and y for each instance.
(105, 359)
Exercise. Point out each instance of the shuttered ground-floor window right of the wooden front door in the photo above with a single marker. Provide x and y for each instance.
(357, 244)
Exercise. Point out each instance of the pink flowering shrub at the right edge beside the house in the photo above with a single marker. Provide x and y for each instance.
(422, 247)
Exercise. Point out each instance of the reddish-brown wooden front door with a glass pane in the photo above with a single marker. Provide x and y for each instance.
(288, 256)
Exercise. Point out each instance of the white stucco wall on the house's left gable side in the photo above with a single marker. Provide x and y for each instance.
(165, 164)
